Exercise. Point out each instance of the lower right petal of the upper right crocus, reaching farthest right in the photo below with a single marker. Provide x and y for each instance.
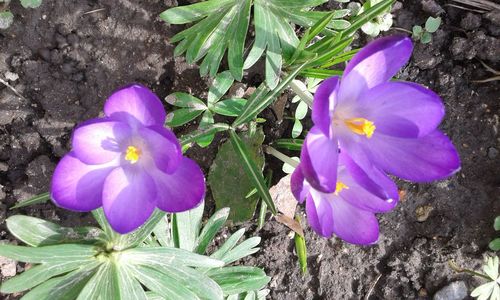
(424, 159)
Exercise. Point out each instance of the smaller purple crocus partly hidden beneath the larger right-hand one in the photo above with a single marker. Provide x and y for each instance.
(349, 211)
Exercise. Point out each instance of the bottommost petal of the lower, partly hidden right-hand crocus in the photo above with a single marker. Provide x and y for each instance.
(354, 225)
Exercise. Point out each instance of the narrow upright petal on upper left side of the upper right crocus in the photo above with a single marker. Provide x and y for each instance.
(324, 102)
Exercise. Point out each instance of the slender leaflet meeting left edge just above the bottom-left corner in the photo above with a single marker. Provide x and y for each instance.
(37, 275)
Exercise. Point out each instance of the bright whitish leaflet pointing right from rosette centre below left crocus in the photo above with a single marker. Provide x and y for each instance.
(172, 256)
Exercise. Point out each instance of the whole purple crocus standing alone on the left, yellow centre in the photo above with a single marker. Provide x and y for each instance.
(128, 163)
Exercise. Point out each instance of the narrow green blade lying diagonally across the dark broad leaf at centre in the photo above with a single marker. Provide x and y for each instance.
(254, 174)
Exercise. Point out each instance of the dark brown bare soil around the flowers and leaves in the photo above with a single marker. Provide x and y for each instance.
(69, 61)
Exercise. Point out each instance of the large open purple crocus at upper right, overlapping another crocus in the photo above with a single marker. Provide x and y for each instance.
(390, 124)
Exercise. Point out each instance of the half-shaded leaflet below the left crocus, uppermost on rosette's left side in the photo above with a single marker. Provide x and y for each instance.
(37, 232)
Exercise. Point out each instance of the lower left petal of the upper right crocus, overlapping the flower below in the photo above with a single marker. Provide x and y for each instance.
(319, 158)
